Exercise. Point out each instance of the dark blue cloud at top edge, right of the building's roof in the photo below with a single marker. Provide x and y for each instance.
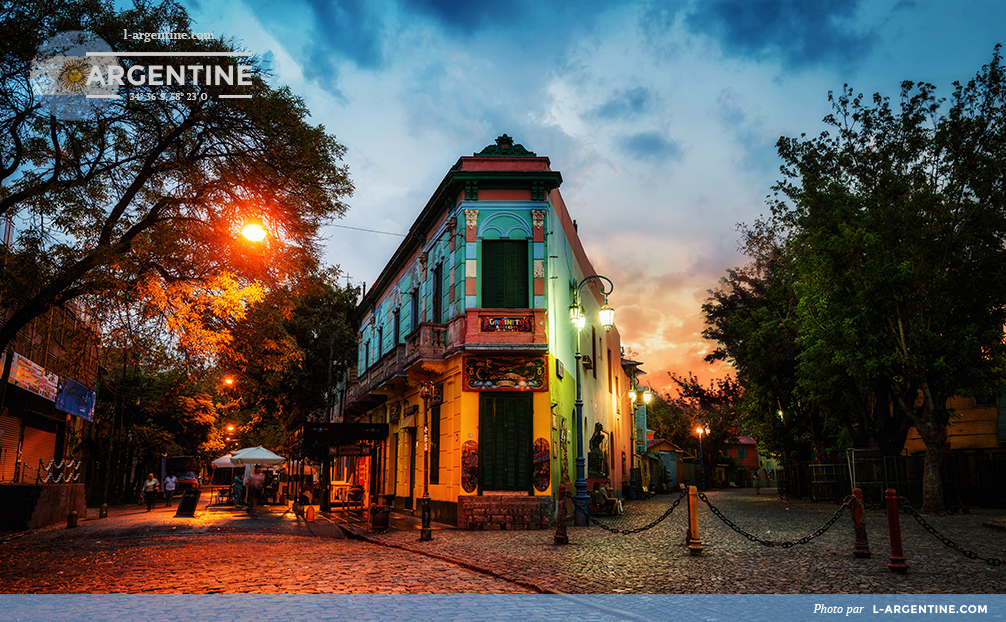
(801, 34)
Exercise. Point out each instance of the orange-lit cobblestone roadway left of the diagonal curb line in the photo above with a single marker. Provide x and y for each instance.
(222, 551)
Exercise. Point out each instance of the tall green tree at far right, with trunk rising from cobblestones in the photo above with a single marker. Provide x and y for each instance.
(897, 224)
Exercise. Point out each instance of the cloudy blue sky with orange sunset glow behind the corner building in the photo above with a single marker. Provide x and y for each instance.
(662, 117)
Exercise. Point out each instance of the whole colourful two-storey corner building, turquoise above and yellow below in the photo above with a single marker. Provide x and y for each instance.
(476, 302)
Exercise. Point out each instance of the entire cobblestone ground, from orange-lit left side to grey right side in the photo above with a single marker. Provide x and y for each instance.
(224, 551)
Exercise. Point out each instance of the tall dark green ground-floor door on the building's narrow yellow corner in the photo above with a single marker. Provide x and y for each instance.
(506, 441)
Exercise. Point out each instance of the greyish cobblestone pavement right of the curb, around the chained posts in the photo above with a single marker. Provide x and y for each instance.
(657, 561)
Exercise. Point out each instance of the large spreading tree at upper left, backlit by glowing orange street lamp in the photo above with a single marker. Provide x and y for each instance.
(153, 187)
